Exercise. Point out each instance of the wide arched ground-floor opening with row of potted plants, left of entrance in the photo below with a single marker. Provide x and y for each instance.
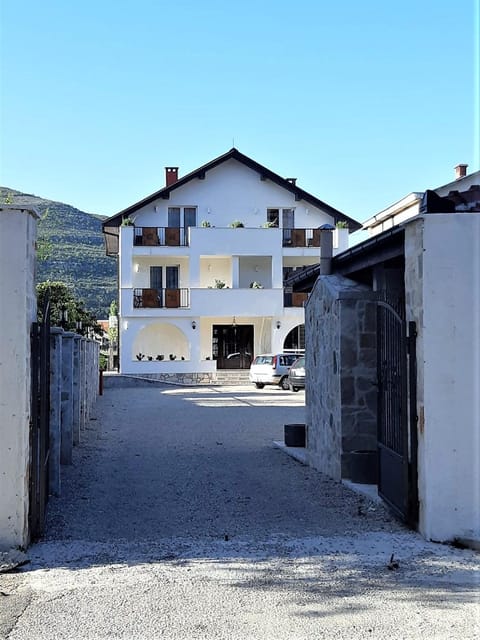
(160, 341)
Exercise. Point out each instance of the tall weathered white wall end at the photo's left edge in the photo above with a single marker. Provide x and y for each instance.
(18, 310)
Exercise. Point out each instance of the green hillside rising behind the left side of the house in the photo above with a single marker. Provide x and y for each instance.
(77, 252)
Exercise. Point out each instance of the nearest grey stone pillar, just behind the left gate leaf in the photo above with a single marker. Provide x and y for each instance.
(55, 409)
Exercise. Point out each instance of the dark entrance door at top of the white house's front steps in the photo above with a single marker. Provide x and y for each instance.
(232, 346)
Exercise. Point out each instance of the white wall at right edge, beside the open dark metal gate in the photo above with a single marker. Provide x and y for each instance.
(443, 297)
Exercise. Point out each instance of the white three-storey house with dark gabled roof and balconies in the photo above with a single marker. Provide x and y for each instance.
(202, 265)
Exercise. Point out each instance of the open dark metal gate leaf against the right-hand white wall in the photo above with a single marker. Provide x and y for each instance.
(397, 429)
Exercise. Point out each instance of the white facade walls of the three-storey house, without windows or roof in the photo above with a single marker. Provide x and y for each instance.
(238, 257)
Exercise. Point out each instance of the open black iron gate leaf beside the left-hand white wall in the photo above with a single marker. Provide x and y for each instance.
(39, 422)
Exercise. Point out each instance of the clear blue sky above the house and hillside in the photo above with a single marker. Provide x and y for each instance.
(362, 102)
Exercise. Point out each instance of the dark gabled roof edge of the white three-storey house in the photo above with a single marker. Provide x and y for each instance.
(265, 174)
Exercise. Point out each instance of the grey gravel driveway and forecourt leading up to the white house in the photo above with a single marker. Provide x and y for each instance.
(179, 520)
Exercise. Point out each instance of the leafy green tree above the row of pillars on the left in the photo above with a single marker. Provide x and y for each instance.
(65, 310)
